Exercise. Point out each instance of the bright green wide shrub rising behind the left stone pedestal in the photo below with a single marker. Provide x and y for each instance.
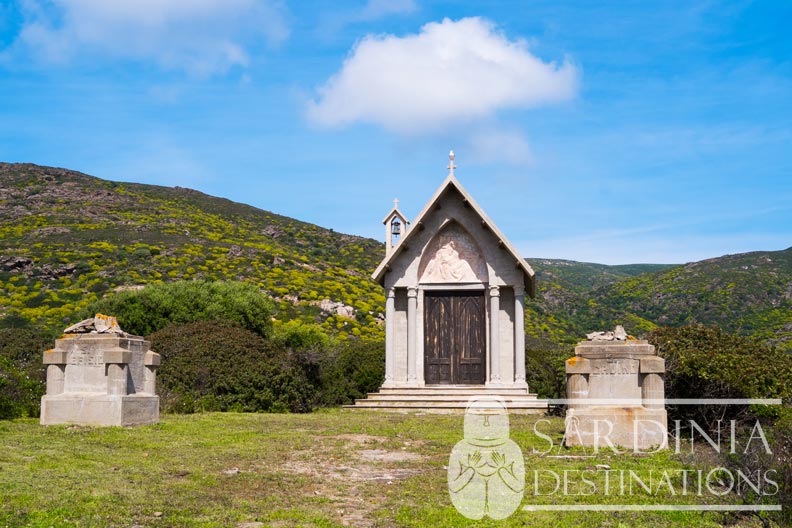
(156, 306)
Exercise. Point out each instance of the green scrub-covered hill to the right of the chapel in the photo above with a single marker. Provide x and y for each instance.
(748, 294)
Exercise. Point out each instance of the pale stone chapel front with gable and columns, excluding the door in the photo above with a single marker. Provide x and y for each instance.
(453, 247)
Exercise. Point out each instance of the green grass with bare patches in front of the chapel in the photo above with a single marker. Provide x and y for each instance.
(333, 468)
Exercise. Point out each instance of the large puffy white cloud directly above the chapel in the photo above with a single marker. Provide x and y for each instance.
(451, 71)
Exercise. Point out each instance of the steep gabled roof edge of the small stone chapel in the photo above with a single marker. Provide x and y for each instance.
(449, 182)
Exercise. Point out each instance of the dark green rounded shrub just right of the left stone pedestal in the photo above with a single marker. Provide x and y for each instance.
(219, 366)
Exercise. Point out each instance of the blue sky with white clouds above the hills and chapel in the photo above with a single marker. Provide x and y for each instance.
(611, 132)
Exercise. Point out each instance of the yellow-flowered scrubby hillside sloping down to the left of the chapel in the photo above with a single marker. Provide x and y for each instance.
(68, 238)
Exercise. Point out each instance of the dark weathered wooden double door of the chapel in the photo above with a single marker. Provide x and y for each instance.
(454, 338)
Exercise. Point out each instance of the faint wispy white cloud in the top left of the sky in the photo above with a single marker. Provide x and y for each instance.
(199, 36)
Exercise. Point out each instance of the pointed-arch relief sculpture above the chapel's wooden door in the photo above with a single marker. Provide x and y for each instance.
(452, 257)
